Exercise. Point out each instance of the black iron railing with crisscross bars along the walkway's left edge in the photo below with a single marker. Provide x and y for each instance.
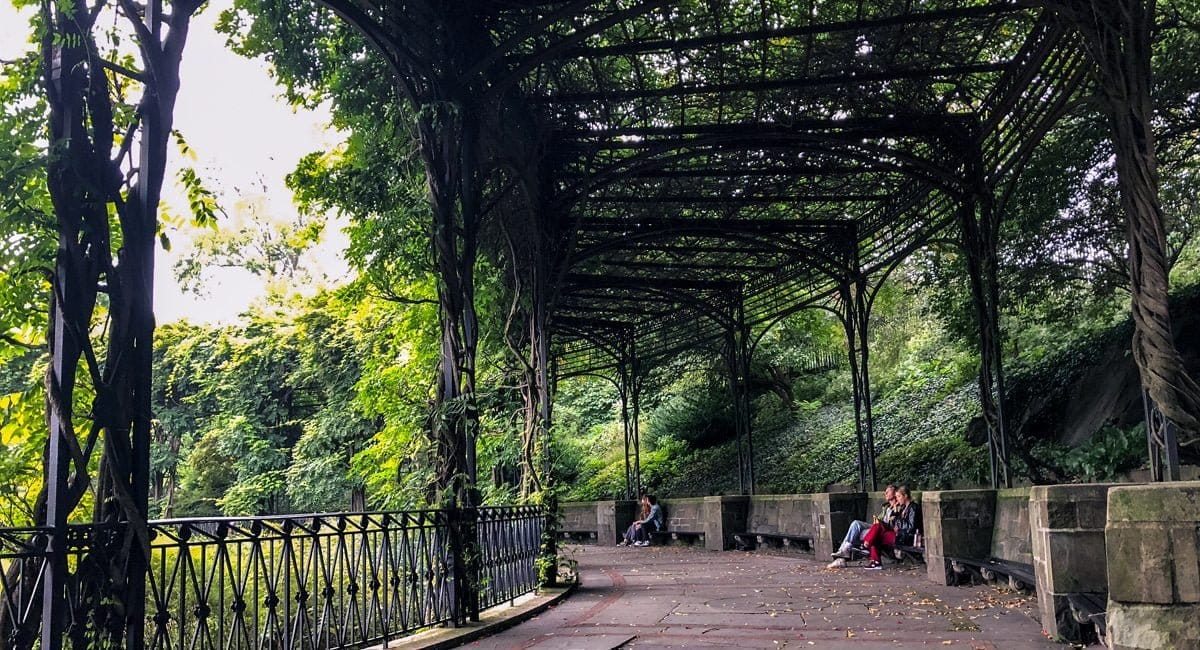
(311, 581)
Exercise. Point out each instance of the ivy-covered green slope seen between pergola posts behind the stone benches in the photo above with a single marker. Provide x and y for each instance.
(1075, 412)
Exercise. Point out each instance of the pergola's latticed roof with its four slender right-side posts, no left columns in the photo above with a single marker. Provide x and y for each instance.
(704, 171)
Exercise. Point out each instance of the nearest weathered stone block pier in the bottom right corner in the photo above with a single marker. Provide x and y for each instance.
(1153, 550)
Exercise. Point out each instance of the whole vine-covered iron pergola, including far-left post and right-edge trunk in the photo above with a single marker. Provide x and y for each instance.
(665, 174)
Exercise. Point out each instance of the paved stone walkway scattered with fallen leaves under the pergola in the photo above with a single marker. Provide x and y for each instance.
(685, 598)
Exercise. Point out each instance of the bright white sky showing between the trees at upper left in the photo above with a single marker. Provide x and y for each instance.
(247, 141)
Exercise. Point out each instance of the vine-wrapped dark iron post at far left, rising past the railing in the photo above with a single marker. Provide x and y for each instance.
(87, 184)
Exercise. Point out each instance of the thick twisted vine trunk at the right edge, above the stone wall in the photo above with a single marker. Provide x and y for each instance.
(1118, 35)
